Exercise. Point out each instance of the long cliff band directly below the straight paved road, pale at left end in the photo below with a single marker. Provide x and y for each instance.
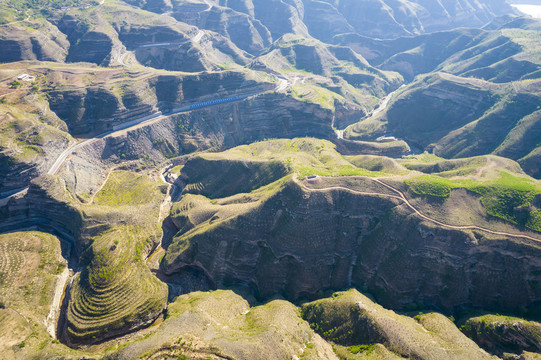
(215, 128)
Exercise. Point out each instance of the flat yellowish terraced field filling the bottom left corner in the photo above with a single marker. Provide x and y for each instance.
(30, 264)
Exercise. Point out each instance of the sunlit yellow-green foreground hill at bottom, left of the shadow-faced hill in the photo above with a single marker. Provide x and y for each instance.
(221, 324)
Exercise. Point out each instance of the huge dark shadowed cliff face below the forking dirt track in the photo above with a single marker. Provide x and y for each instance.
(297, 242)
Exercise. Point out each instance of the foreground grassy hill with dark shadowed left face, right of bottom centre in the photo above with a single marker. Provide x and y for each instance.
(350, 319)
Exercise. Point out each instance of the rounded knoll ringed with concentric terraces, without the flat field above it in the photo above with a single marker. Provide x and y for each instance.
(116, 291)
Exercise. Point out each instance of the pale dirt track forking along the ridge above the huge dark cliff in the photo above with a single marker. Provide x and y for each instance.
(403, 198)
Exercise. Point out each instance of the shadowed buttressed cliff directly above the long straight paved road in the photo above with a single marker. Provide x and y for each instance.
(116, 97)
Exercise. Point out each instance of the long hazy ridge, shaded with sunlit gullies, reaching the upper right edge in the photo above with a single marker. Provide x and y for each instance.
(499, 55)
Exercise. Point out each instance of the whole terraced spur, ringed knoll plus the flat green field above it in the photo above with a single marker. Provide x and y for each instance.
(116, 293)
